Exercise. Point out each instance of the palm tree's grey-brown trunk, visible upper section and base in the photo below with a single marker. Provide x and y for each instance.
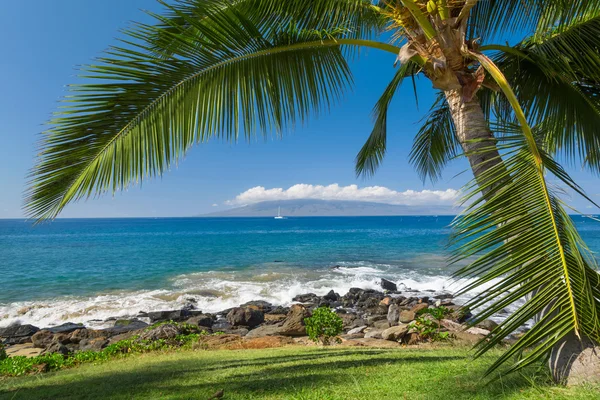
(572, 361)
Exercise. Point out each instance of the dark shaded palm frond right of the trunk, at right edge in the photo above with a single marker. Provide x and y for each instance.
(557, 81)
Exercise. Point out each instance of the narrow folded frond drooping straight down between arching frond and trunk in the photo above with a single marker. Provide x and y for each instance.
(372, 153)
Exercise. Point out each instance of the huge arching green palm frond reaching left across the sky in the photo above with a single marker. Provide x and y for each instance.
(142, 110)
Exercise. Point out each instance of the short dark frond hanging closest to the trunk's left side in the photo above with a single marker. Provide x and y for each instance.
(435, 144)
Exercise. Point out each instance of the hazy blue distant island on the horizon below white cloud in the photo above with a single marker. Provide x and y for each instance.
(331, 208)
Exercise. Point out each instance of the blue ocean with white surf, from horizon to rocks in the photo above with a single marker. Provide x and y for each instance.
(87, 270)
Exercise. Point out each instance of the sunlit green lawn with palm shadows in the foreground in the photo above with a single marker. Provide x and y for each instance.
(298, 373)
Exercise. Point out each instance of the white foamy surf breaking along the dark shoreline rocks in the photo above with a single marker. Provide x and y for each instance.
(217, 290)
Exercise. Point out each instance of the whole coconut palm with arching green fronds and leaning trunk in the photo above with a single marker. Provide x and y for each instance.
(231, 68)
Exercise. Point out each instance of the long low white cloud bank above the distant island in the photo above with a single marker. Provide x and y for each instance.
(378, 194)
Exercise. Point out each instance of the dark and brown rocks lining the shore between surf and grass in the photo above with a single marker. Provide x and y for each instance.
(370, 317)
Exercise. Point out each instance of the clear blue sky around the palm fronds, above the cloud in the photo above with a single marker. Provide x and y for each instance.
(43, 42)
